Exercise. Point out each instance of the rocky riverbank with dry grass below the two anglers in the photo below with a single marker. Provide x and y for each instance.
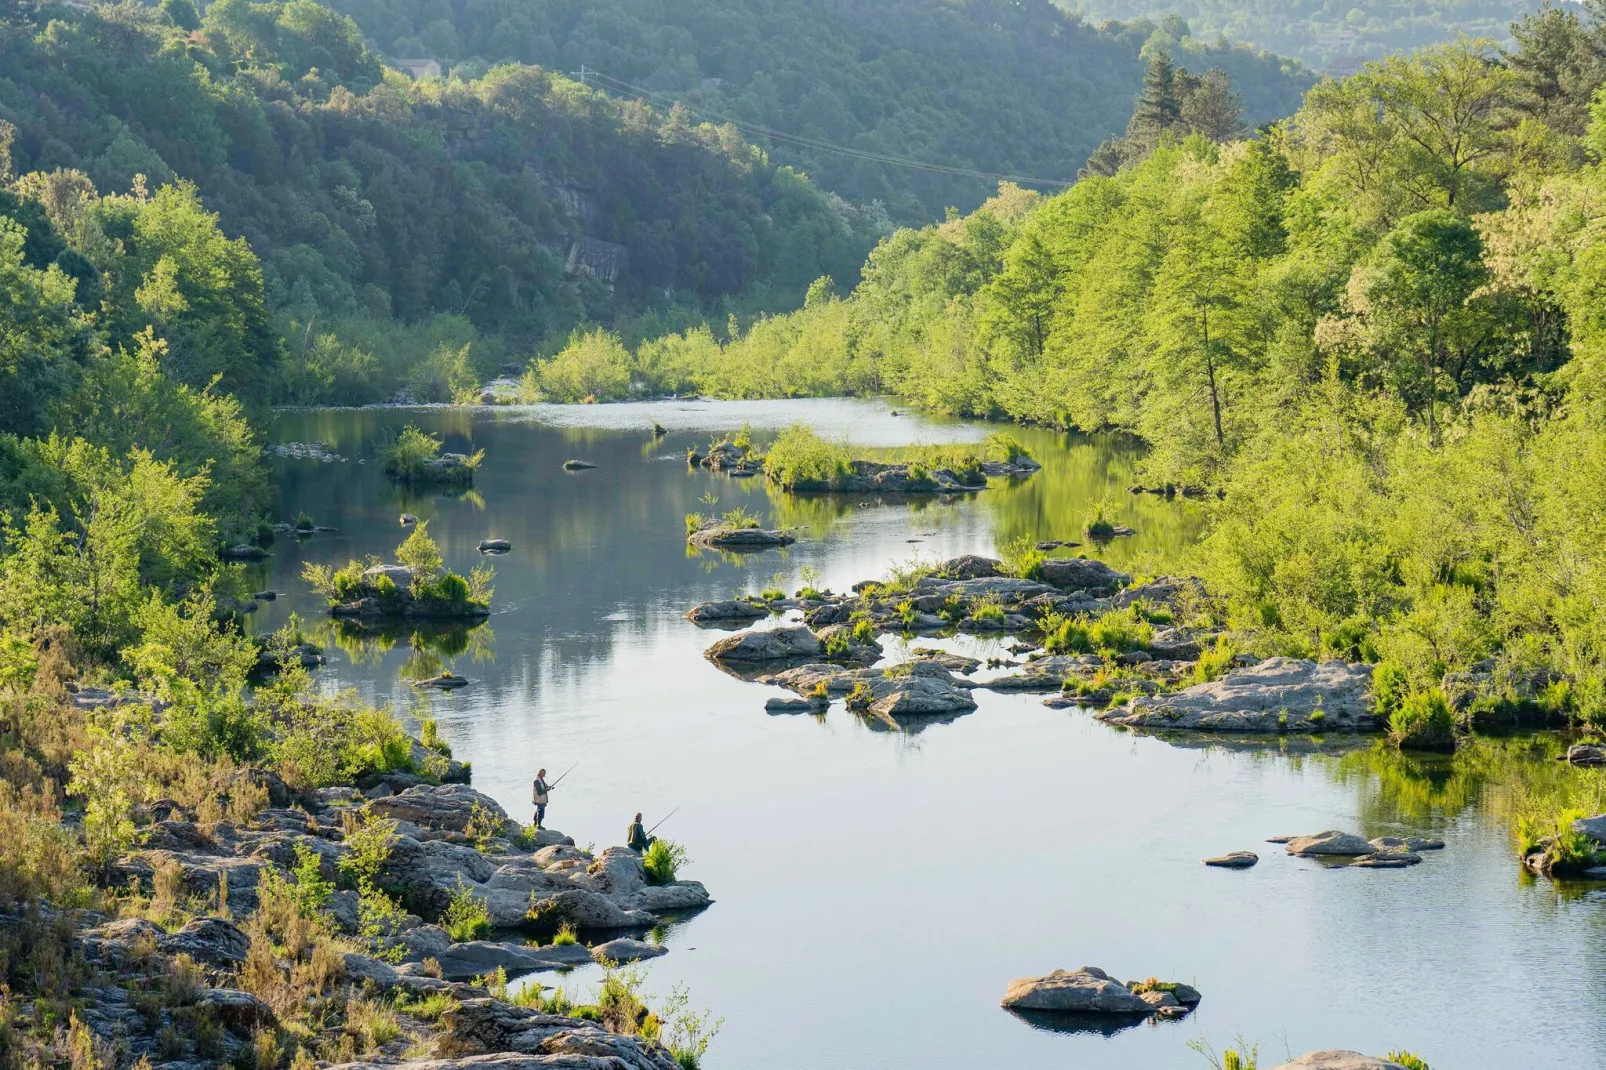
(243, 939)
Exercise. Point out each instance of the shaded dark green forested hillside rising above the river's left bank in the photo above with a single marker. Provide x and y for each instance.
(452, 206)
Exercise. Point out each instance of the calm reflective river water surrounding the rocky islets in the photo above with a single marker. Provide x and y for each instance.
(876, 892)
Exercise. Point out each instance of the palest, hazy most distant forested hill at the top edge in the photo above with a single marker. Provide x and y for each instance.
(1318, 31)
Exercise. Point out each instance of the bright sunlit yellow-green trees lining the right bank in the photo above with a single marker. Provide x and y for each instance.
(1377, 330)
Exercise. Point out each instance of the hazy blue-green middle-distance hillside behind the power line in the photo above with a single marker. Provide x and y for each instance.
(995, 86)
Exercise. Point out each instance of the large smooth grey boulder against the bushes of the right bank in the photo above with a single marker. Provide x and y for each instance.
(1278, 695)
